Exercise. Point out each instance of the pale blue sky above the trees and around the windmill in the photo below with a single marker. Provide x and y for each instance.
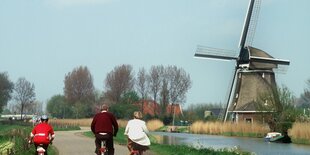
(43, 40)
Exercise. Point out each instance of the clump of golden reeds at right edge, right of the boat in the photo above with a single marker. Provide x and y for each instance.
(300, 133)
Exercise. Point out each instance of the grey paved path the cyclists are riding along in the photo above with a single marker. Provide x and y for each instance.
(73, 142)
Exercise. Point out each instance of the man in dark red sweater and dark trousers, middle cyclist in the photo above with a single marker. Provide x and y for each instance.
(104, 126)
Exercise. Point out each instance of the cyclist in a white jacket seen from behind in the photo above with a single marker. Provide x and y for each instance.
(136, 131)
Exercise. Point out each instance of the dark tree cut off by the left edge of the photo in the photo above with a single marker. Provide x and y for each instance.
(6, 88)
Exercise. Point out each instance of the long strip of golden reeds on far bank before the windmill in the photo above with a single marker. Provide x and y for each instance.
(229, 129)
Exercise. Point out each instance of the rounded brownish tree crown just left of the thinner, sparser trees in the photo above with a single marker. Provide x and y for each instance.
(119, 81)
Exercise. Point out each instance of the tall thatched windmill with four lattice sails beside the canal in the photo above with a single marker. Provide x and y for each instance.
(253, 74)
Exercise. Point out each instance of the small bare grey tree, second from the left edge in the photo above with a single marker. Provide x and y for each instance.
(24, 94)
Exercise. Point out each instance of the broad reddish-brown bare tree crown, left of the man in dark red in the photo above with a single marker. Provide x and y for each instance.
(79, 85)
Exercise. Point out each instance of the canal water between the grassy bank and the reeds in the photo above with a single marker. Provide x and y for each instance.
(256, 145)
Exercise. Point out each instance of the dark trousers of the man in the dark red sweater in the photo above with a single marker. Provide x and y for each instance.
(108, 138)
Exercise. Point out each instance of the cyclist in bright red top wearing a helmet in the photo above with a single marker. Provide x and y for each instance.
(42, 134)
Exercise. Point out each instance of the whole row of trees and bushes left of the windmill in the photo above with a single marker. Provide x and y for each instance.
(122, 88)
